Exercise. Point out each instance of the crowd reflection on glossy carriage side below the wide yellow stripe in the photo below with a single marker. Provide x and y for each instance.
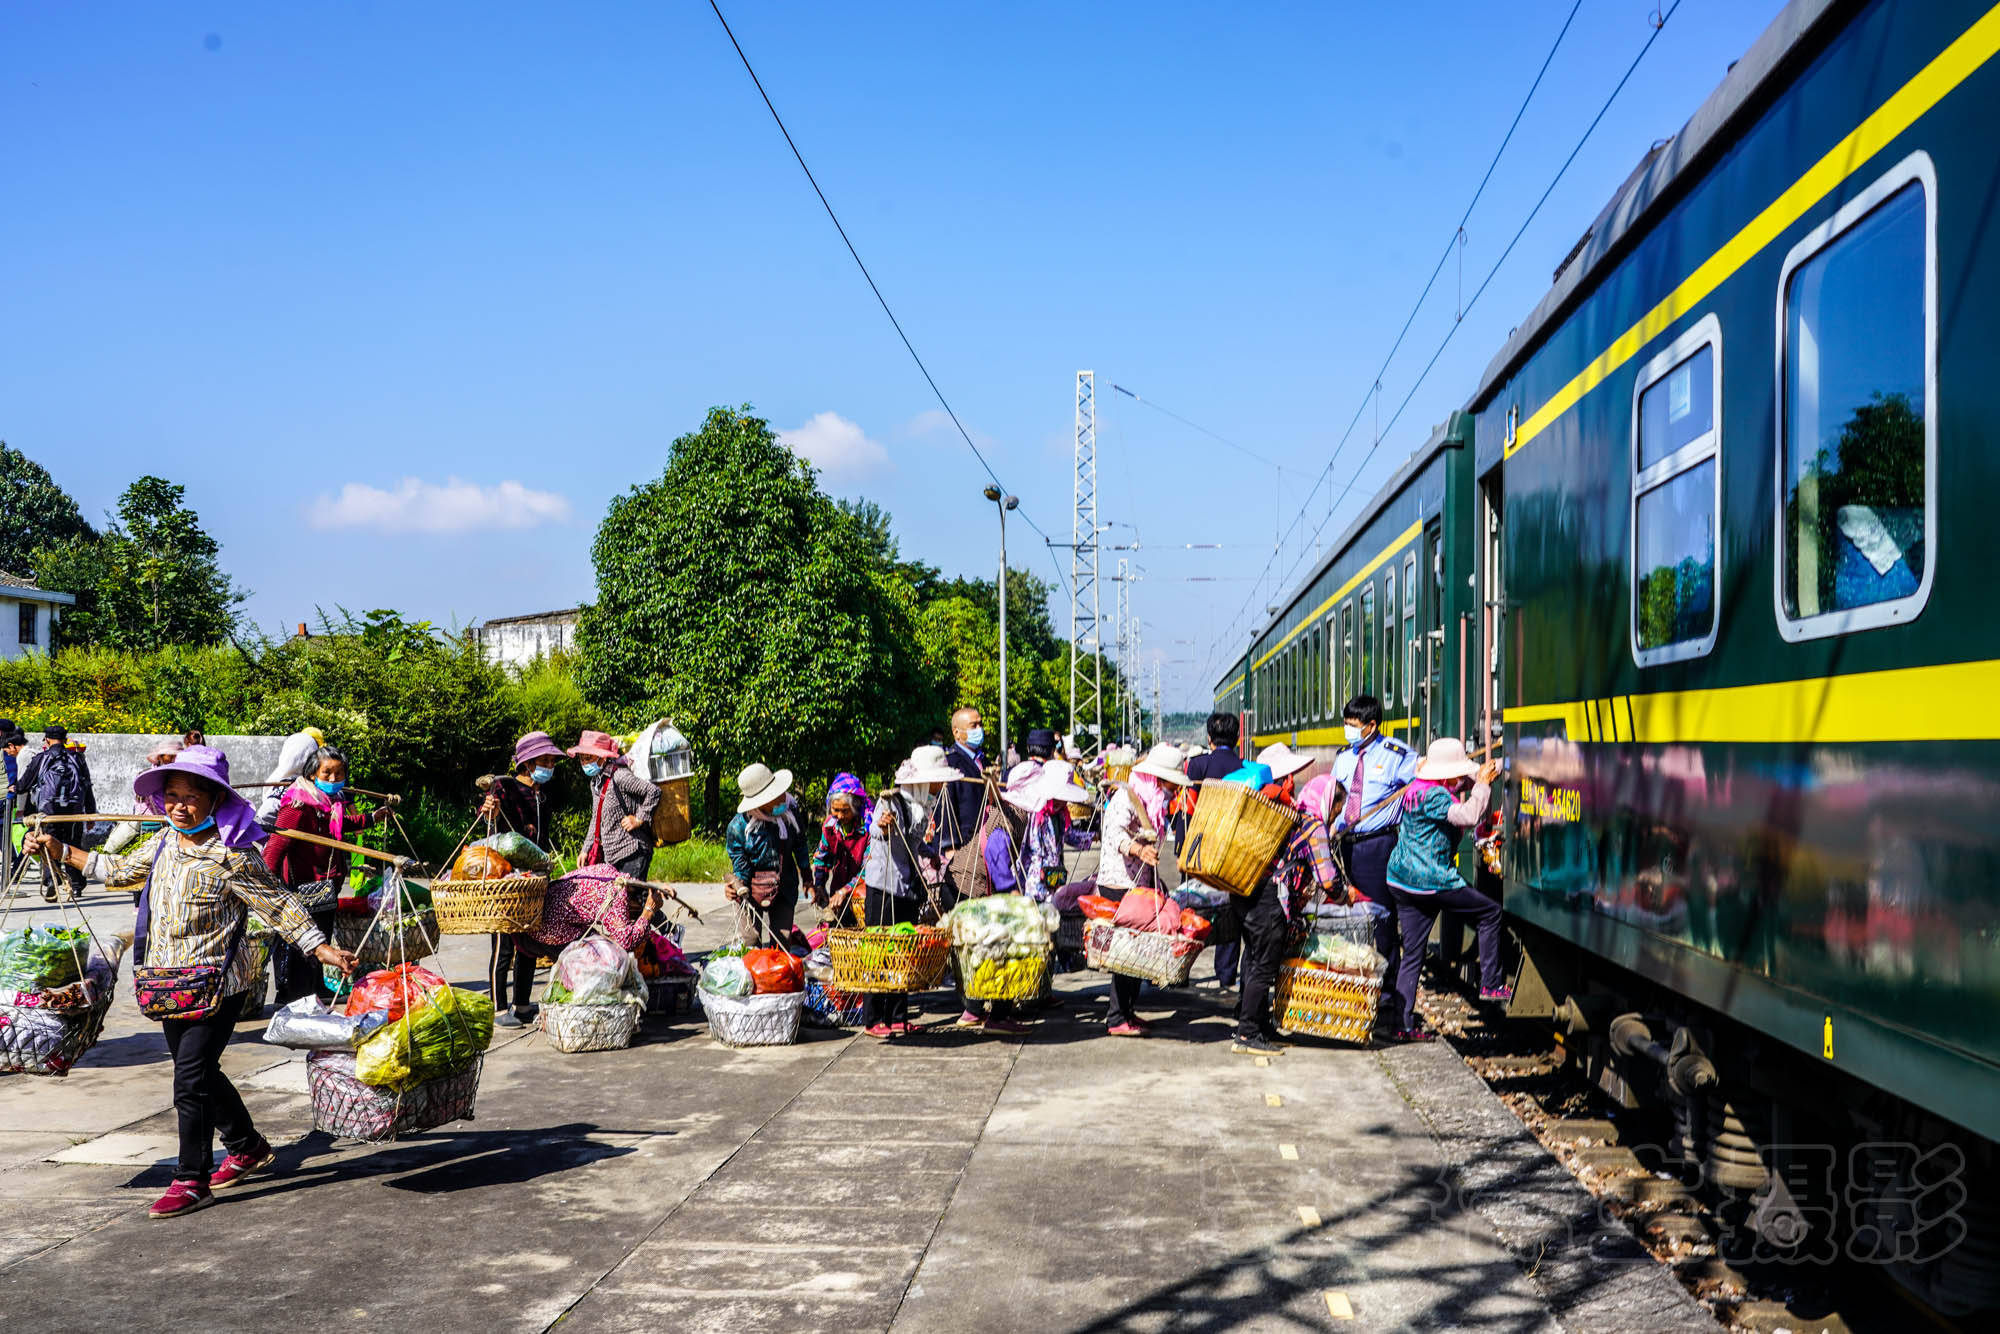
(1855, 871)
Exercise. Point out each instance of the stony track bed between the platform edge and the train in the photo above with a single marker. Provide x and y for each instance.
(1621, 1155)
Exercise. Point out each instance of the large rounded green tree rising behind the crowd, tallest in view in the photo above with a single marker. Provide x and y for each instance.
(743, 603)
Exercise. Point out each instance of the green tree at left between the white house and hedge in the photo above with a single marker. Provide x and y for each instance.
(151, 581)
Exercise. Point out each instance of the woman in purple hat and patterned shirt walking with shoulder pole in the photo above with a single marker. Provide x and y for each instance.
(203, 875)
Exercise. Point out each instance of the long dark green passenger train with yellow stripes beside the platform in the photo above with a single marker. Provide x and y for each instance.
(1705, 557)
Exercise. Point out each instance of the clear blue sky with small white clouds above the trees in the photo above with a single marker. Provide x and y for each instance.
(407, 293)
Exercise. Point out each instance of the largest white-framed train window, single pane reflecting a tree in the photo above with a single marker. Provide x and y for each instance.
(1857, 427)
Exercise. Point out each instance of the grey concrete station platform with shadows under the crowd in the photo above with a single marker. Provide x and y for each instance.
(945, 1185)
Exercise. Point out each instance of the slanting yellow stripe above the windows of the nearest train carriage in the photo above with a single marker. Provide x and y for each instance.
(1903, 109)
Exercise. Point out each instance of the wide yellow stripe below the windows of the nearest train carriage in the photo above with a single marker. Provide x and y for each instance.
(1959, 701)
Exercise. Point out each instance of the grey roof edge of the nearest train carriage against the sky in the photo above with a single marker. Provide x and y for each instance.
(1653, 189)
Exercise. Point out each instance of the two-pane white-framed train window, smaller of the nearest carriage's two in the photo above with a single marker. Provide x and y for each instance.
(1677, 497)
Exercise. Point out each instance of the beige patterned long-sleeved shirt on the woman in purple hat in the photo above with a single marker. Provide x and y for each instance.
(199, 899)
